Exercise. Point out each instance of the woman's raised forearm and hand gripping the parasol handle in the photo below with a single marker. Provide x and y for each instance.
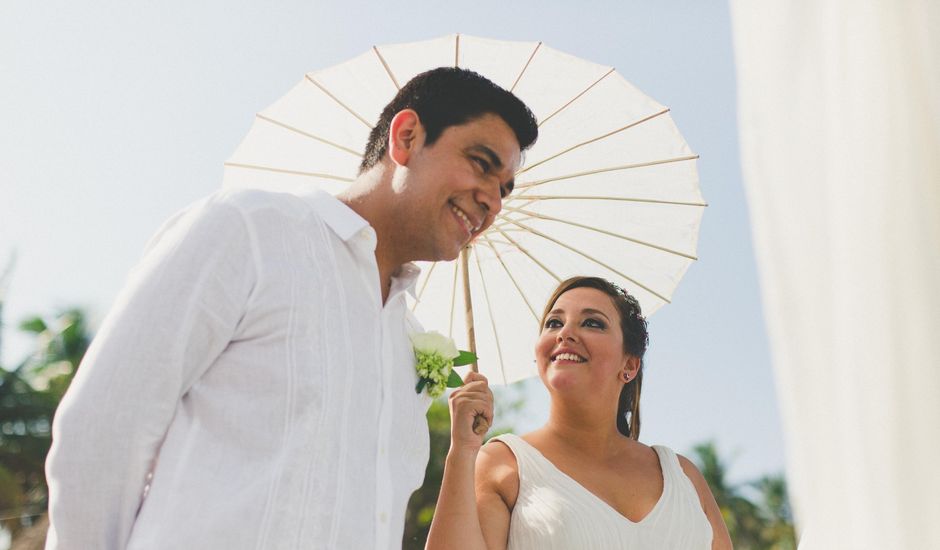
(455, 517)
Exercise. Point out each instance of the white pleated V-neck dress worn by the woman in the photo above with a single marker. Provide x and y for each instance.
(553, 511)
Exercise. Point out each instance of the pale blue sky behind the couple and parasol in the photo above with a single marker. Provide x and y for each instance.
(115, 115)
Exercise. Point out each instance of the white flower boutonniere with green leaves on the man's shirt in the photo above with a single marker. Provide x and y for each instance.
(437, 355)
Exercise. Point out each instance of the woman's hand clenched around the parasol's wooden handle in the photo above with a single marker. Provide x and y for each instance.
(467, 402)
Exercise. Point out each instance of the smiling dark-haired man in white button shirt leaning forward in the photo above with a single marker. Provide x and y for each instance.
(253, 387)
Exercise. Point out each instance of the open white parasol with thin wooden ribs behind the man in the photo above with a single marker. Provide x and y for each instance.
(610, 188)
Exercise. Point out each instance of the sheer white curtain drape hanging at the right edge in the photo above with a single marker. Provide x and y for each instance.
(839, 115)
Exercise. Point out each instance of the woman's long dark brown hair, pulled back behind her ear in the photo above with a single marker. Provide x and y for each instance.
(635, 341)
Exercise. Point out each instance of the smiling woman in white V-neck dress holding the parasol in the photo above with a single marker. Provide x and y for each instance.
(583, 480)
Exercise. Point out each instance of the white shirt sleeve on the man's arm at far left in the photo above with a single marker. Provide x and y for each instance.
(180, 308)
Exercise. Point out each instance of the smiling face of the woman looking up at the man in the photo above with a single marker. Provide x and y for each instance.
(581, 343)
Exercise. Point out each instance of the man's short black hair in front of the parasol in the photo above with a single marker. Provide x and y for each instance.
(450, 96)
